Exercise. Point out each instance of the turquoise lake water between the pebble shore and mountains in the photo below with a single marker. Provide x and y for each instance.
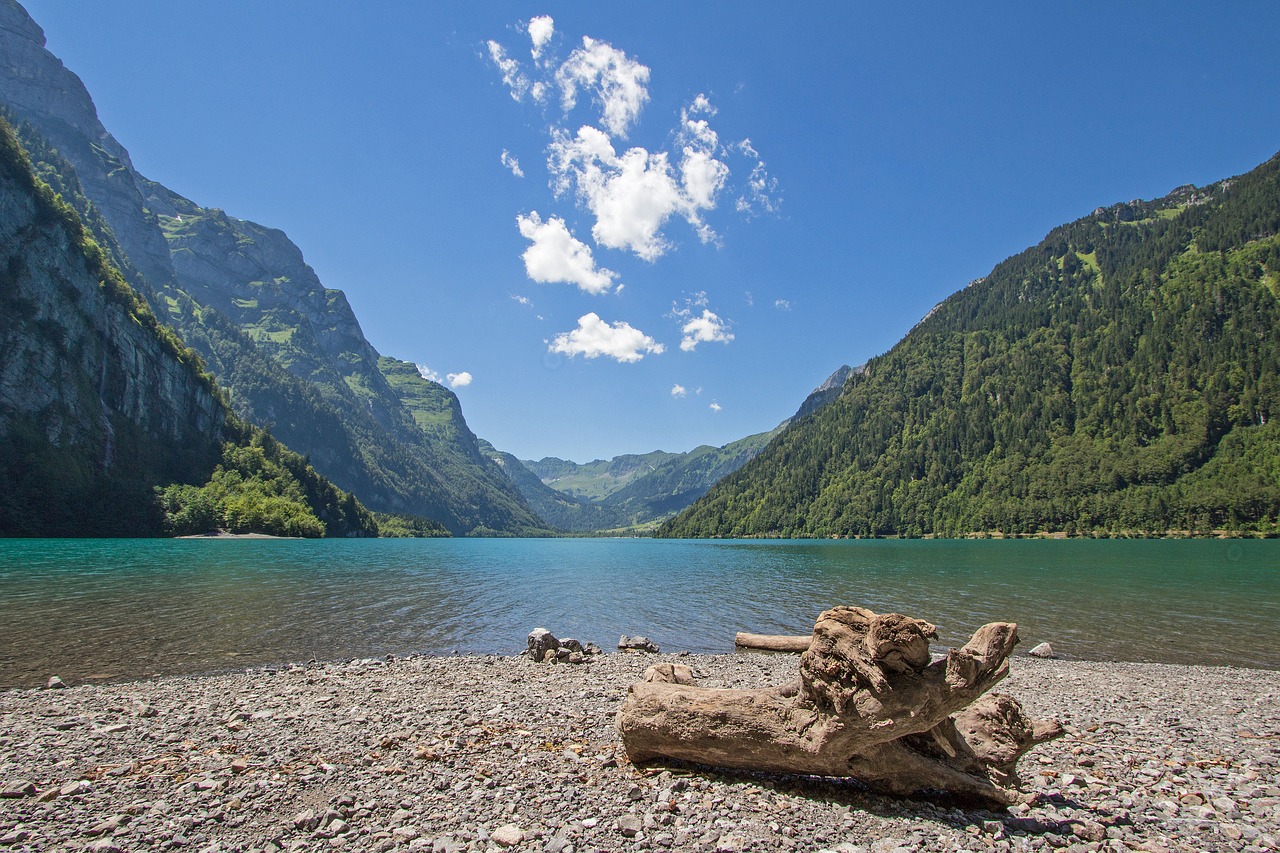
(109, 609)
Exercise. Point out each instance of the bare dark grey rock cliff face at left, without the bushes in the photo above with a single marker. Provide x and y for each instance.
(98, 403)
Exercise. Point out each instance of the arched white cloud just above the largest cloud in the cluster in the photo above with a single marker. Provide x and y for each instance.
(620, 84)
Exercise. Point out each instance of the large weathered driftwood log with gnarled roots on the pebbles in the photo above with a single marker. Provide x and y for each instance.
(868, 704)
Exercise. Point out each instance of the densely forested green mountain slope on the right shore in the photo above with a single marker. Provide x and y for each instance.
(1121, 377)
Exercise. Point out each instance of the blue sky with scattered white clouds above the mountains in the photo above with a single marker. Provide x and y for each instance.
(716, 206)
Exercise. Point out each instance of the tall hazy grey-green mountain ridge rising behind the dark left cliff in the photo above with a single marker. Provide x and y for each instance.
(290, 352)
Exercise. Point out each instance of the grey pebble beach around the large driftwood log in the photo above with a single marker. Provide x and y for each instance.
(492, 754)
